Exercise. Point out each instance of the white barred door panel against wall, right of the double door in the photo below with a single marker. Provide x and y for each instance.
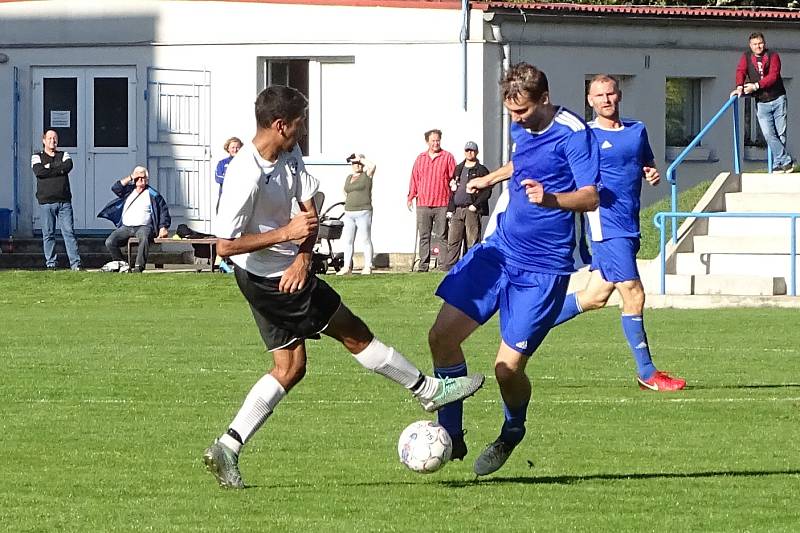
(178, 144)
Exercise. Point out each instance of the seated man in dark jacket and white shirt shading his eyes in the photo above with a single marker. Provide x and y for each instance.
(139, 211)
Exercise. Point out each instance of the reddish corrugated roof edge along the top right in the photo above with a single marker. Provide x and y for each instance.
(653, 11)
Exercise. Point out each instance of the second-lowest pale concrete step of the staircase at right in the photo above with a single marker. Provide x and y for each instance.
(691, 263)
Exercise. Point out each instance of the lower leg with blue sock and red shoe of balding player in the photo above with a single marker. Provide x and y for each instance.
(648, 376)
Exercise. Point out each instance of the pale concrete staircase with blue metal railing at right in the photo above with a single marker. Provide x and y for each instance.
(734, 256)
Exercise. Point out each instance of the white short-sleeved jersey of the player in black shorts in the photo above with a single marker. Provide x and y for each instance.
(258, 197)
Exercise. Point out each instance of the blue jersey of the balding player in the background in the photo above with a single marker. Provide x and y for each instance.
(623, 153)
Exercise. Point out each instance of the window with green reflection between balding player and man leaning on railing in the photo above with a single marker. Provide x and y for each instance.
(682, 110)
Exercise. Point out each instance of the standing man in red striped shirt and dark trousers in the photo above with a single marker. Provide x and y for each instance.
(430, 178)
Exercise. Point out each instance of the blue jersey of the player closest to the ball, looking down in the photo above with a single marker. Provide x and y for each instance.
(563, 158)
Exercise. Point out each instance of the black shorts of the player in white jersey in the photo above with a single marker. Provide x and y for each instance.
(283, 318)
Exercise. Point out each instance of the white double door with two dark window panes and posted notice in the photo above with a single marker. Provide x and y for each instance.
(93, 110)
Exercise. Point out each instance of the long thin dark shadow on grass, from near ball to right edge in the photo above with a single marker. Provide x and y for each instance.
(569, 480)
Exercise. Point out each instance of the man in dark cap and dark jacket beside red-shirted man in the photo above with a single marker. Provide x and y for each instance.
(465, 210)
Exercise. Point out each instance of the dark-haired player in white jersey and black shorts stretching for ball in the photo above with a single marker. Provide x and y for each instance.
(256, 230)
